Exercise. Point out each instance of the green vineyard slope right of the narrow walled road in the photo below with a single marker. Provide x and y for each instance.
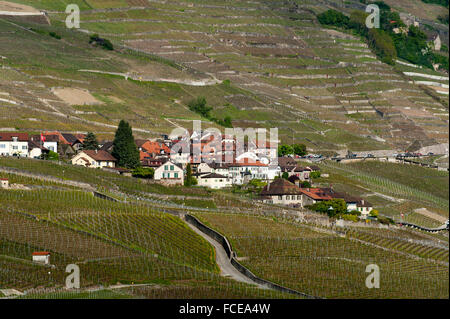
(327, 265)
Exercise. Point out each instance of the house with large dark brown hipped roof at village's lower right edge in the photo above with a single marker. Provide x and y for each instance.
(283, 192)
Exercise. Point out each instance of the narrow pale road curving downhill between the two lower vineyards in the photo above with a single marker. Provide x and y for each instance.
(224, 263)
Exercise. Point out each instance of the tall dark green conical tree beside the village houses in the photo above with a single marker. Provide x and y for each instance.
(124, 147)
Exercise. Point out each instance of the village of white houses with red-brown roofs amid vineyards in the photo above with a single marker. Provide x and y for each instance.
(281, 180)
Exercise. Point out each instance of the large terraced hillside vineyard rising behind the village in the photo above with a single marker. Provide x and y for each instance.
(264, 63)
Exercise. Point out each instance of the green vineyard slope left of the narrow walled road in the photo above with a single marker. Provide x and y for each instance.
(111, 243)
